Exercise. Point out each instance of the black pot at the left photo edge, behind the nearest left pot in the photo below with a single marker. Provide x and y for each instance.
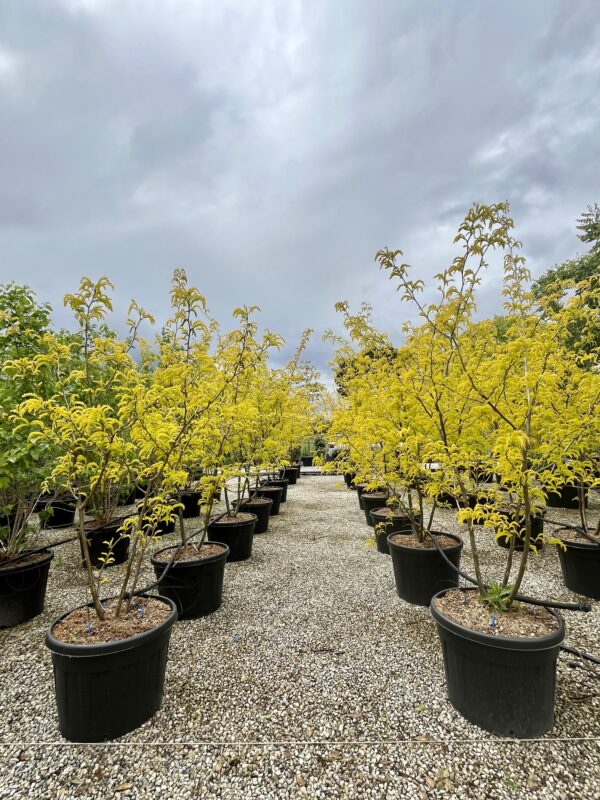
(23, 590)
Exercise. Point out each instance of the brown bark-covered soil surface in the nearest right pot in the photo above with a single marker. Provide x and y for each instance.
(521, 621)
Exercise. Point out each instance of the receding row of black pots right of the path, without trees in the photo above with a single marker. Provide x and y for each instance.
(504, 684)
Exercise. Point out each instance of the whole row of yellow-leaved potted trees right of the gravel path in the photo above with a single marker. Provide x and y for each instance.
(498, 419)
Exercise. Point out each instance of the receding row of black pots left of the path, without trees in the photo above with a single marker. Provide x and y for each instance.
(105, 689)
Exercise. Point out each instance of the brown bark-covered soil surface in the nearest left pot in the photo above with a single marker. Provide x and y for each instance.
(73, 629)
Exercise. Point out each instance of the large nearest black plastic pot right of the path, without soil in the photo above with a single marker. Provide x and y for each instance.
(502, 684)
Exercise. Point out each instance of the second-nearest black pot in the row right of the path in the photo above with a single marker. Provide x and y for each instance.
(421, 573)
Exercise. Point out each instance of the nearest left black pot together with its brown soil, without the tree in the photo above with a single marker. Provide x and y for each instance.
(109, 678)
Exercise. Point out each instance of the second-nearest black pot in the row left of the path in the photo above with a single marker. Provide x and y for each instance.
(196, 586)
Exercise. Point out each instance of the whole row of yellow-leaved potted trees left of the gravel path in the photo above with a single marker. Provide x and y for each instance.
(95, 422)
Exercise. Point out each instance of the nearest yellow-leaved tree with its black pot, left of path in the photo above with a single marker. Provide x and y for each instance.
(109, 654)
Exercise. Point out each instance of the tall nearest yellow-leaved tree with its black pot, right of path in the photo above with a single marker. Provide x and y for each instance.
(500, 654)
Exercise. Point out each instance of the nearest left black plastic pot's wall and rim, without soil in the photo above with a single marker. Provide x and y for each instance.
(106, 690)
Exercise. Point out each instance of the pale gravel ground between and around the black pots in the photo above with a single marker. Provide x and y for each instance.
(313, 680)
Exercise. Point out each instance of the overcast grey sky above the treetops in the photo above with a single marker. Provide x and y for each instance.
(270, 148)
